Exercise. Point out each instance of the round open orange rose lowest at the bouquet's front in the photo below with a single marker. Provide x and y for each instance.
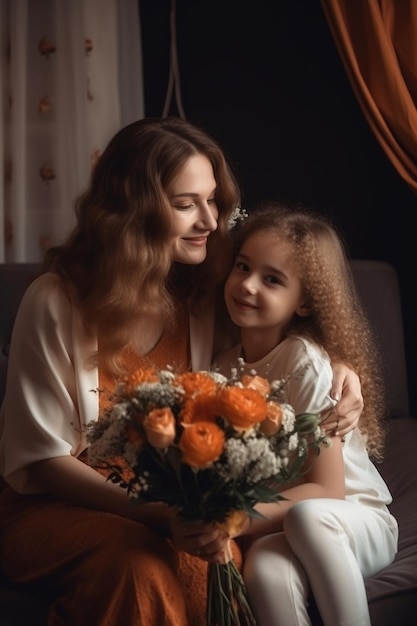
(201, 444)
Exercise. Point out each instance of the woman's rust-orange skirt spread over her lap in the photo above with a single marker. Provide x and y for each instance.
(99, 569)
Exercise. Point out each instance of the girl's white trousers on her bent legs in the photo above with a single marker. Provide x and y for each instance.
(327, 547)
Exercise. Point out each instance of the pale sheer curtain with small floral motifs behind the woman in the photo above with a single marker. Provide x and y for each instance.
(71, 76)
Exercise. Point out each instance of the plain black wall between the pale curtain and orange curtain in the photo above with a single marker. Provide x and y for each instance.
(264, 77)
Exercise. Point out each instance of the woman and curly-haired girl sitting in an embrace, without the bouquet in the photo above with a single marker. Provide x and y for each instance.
(138, 282)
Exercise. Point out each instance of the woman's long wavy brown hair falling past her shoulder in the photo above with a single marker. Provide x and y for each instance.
(118, 261)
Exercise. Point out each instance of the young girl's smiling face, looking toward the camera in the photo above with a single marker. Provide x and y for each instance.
(263, 290)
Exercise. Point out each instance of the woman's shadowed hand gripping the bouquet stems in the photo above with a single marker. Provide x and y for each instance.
(201, 539)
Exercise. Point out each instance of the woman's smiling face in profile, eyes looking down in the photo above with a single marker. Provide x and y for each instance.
(192, 195)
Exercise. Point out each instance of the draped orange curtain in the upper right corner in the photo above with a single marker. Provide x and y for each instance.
(377, 41)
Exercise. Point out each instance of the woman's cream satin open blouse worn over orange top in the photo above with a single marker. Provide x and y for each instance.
(51, 387)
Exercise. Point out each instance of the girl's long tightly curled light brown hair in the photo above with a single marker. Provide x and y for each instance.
(337, 320)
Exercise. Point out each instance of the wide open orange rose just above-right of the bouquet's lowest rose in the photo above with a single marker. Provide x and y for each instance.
(242, 407)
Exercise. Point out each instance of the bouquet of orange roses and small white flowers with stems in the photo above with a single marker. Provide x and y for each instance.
(210, 446)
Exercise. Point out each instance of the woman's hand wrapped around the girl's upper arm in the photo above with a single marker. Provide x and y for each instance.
(346, 389)
